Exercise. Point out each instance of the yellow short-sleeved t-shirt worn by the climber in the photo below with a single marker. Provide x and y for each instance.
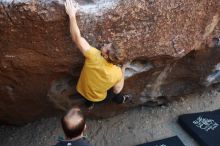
(97, 76)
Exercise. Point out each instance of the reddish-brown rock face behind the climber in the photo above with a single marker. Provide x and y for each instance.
(40, 65)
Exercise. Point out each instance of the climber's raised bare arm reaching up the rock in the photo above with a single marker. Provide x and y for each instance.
(81, 43)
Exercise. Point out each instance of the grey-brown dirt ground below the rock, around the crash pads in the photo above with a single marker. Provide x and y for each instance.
(135, 126)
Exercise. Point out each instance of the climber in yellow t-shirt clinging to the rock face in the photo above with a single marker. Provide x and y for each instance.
(102, 78)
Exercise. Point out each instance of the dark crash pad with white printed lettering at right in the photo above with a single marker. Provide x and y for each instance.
(204, 127)
